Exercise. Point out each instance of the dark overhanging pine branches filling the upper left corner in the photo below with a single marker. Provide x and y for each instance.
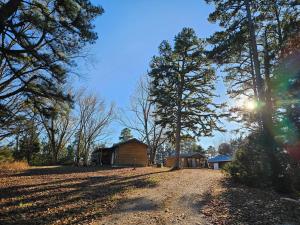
(39, 40)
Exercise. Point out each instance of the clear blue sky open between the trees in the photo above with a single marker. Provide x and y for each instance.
(130, 32)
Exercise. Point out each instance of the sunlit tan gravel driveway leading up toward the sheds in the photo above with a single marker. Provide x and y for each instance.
(177, 200)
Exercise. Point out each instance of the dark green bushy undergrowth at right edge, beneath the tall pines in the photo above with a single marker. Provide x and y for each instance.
(253, 166)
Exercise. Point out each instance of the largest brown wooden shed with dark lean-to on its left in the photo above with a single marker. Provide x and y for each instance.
(128, 153)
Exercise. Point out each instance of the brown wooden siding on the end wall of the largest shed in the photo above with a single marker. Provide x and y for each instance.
(131, 154)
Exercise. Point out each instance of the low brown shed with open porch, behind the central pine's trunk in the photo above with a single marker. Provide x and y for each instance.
(193, 160)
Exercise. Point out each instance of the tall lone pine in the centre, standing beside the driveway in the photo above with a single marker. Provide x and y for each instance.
(182, 87)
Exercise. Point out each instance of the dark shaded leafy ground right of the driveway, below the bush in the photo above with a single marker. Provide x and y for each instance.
(233, 203)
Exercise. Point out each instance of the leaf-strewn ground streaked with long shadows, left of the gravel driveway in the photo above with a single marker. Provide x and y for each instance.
(65, 199)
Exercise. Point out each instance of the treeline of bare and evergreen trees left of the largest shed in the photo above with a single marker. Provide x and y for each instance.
(66, 135)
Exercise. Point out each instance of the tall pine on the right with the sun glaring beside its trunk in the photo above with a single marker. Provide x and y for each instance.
(249, 46)
